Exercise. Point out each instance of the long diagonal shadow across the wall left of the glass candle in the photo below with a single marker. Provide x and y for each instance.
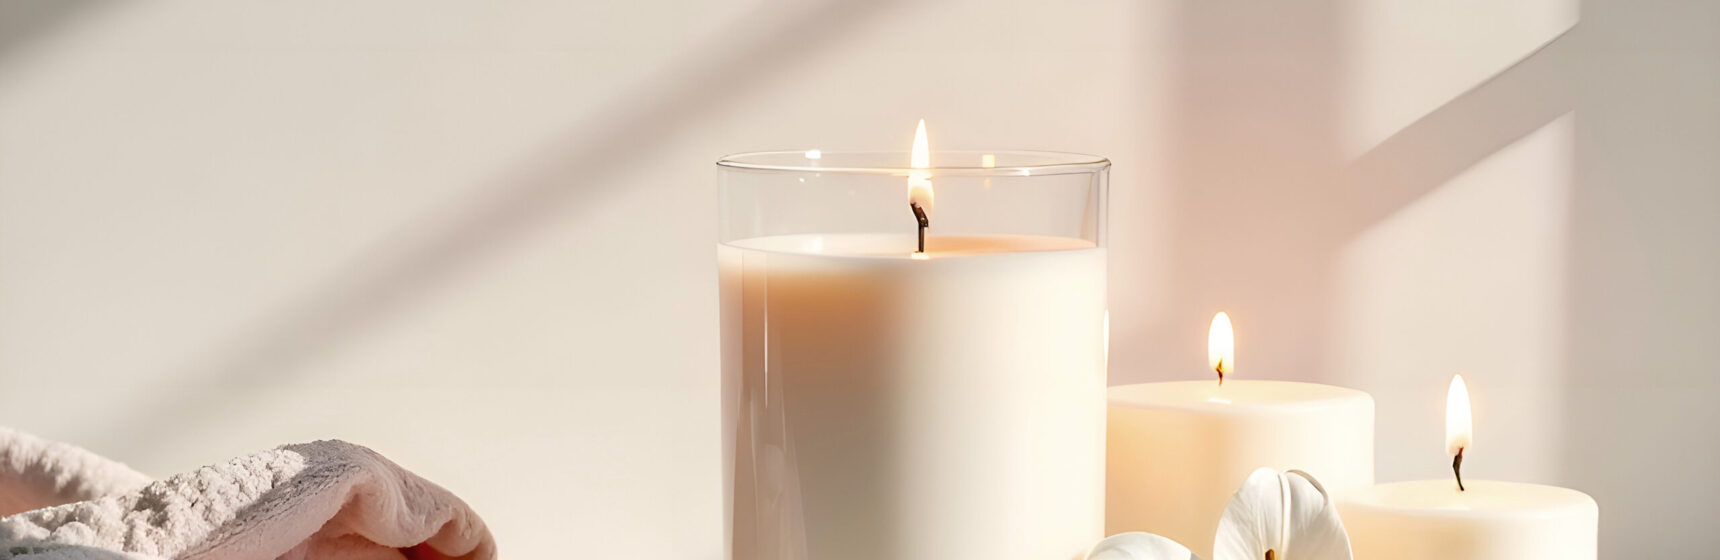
(568, 173)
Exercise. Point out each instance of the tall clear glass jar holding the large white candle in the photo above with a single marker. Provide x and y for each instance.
(890, 403)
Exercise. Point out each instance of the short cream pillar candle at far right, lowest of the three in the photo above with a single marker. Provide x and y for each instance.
(1490, 521)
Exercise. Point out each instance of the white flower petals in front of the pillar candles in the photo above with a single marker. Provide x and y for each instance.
(1275, 516)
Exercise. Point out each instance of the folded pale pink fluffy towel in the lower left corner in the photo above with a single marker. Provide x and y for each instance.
(312, 501)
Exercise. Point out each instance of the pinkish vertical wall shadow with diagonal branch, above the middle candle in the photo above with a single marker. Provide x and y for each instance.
(1255, 147)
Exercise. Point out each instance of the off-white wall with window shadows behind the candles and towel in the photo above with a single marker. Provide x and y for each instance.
(479, 236)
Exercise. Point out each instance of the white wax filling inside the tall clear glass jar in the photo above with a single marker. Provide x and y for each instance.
(887, 406)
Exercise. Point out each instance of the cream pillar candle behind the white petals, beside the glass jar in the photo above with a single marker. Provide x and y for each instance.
(1179, 451)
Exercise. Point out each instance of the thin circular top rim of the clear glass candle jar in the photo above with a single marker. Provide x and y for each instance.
(1052, 162)
